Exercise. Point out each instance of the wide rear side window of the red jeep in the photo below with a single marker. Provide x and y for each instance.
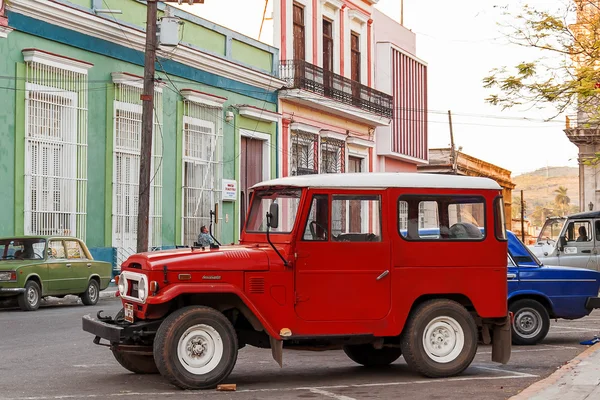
(452, 218)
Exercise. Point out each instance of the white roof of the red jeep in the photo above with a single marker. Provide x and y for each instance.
(378, 180)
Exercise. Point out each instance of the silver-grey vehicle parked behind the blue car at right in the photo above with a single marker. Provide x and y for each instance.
(572, 241)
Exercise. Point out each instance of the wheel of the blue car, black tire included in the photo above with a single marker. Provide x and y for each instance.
(531, 322)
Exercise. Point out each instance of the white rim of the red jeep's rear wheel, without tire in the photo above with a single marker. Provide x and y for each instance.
(443, 339)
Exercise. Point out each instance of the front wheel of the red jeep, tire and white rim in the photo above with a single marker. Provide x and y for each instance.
(196, 348)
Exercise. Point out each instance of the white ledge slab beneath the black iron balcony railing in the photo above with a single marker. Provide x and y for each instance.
(304, 97)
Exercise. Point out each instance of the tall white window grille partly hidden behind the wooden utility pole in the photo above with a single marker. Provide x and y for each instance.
(127, 112)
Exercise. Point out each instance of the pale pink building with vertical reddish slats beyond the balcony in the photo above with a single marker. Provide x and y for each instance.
(402, 145)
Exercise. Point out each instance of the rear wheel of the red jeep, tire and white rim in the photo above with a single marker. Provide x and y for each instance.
(439, 339)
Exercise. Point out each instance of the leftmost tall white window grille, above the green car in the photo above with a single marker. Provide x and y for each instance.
(55, 151)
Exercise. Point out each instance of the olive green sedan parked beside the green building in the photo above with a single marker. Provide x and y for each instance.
(33, 267)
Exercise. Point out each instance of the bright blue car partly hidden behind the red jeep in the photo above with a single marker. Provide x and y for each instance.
(538, 293)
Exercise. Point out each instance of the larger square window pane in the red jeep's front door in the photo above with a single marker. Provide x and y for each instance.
(356, 218)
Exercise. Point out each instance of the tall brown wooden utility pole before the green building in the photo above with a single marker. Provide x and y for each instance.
(147, 98)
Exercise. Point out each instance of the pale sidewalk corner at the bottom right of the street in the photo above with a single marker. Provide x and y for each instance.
(579, 379)
